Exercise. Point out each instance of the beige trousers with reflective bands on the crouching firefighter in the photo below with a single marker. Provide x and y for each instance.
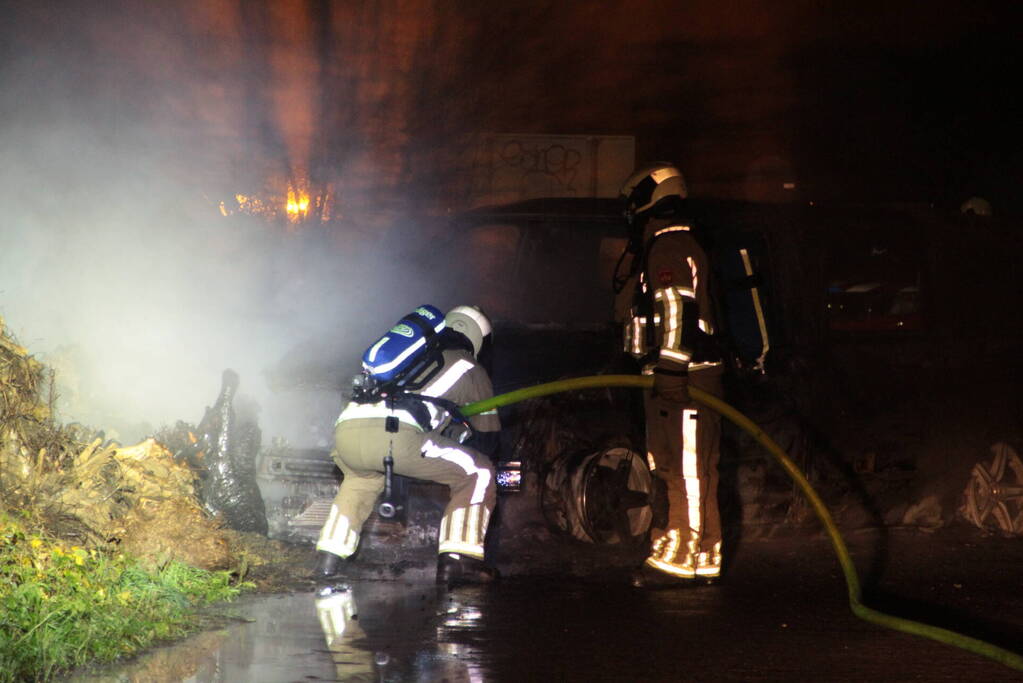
(361, 446)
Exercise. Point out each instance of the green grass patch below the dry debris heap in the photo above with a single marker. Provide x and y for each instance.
(64, 607)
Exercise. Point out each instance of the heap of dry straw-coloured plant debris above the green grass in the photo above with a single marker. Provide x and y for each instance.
(140, 499)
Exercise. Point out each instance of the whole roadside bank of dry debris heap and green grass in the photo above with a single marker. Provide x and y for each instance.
(106, 550)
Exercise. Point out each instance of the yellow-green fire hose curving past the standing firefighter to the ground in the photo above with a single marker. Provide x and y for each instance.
(960, 641)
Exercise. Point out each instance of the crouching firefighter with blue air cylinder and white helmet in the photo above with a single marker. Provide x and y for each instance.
(405, 409)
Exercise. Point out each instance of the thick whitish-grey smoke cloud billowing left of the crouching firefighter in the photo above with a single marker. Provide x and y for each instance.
(123, 128)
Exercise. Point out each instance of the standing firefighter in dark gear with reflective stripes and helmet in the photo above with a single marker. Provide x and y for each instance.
(668, 313)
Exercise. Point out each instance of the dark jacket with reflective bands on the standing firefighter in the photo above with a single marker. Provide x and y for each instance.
(666, 308)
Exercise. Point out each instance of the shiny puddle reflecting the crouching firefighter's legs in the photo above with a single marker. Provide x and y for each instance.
(372, 631)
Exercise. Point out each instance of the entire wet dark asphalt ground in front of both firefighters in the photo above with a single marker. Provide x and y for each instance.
(781, 615)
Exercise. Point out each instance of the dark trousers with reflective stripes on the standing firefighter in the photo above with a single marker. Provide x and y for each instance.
(684, 446)
